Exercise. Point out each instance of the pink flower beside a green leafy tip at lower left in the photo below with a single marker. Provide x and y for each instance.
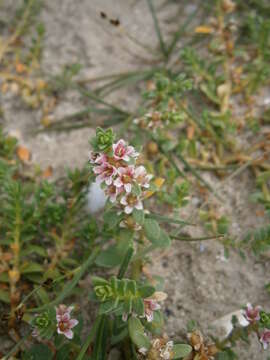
(64, 321)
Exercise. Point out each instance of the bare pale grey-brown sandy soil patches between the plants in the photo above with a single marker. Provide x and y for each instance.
(200, 283)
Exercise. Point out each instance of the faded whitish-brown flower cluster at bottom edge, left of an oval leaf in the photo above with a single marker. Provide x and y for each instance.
(161, 349)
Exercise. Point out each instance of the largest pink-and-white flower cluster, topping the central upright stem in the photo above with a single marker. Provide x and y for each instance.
(123, 182)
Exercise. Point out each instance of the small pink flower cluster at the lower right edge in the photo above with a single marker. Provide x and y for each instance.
(255, 315)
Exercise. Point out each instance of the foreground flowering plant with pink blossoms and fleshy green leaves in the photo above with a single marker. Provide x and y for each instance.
(129, 302)
